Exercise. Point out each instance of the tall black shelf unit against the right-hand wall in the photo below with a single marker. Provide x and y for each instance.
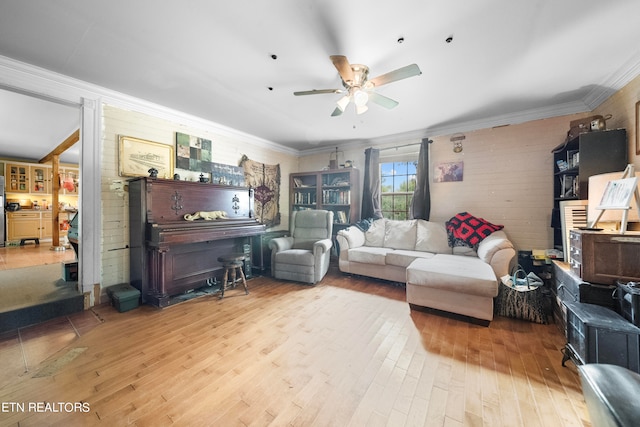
(574, 161)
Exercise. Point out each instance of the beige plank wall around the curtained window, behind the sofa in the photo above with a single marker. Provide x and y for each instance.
(508, 171)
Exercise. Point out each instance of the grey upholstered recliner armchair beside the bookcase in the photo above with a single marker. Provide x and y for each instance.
(304, 256)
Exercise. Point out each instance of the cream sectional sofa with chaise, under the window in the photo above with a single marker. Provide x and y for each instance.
(416, 252)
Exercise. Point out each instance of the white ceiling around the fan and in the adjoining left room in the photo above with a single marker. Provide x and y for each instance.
(509, 60)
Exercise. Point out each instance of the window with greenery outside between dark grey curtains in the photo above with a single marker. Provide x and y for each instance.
(398, 182)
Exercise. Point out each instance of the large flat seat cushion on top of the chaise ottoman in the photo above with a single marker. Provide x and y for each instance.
(454, 273)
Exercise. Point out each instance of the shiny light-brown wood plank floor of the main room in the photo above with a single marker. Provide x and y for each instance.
(346, 352)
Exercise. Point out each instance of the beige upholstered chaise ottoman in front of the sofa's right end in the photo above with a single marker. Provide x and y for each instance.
(457, 284)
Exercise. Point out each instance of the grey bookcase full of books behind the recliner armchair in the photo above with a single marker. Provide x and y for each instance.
(336, 190)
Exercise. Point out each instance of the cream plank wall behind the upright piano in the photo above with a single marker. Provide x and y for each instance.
(115, 208)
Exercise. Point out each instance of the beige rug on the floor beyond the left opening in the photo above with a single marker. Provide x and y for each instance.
(28, 286)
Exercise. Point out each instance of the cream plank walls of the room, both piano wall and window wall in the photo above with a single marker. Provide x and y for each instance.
(507, 172)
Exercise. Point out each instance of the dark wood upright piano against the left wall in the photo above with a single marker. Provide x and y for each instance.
(170, 255)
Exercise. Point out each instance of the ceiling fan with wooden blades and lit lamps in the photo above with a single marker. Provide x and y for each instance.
(358, 88)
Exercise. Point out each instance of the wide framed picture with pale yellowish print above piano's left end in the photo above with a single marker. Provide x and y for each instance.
(137, 156)
